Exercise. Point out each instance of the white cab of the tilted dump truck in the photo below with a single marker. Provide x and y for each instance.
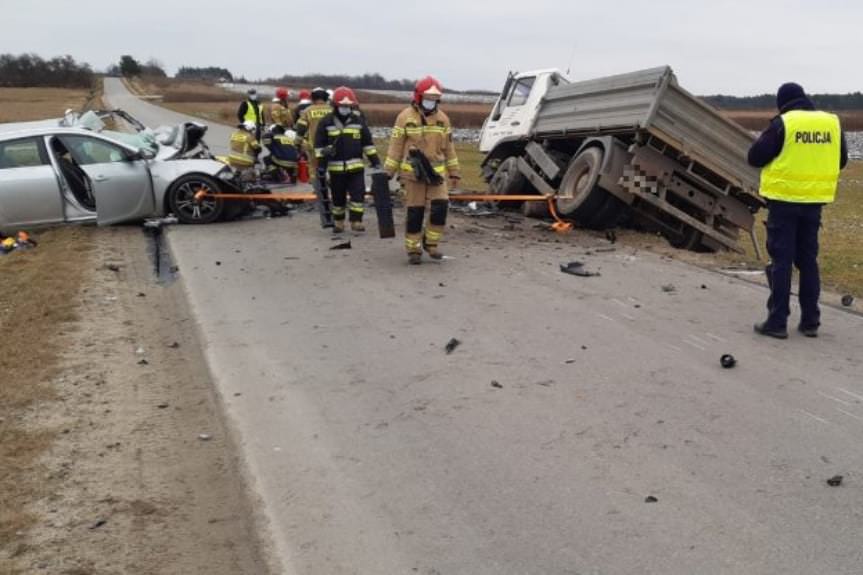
(513, 115)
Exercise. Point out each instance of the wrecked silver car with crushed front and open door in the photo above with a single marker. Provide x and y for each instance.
(74, 170)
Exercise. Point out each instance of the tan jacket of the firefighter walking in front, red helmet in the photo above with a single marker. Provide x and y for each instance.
(432, 135)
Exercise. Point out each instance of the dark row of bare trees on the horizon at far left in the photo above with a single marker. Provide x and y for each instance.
(32, 71)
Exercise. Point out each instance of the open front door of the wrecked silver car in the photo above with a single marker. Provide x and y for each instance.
(121, 180)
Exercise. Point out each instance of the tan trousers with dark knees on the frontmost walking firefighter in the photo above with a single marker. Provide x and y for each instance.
(420, 195)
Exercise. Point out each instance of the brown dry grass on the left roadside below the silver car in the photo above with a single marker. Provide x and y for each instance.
(41, 290)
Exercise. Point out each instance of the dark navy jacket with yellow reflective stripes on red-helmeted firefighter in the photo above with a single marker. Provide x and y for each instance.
(341, 144)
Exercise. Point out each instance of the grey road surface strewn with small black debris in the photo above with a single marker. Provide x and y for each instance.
(534, 446)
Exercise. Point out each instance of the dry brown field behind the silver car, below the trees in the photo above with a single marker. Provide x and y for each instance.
(28, 104)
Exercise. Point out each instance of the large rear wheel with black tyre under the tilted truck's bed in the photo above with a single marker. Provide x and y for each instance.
(580, 196)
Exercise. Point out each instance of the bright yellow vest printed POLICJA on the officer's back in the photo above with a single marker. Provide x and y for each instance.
(807, 170)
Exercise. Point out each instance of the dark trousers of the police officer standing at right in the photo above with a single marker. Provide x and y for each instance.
(792, 241)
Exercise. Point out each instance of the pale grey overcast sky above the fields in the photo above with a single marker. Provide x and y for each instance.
(732, 47)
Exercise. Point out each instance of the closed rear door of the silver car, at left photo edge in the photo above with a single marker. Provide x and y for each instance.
(29, 188)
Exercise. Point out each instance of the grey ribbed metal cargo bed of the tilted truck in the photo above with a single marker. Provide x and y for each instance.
(651, 101)
